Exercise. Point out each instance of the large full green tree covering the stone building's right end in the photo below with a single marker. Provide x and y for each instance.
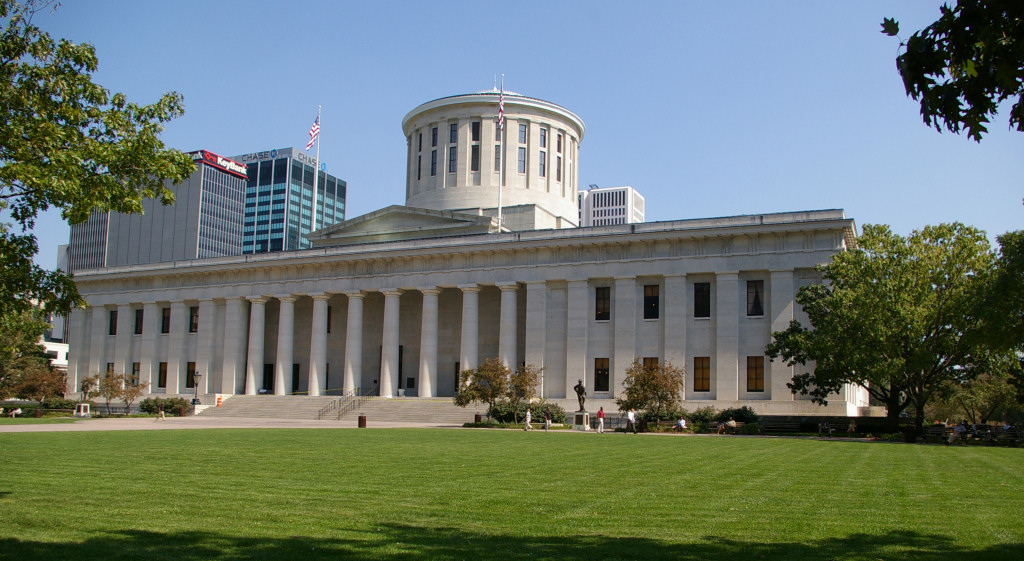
(899, 317)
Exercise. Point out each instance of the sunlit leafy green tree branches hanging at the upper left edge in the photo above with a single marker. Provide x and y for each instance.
(67, 143)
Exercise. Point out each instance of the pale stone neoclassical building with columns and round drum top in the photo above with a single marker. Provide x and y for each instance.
(398, 301)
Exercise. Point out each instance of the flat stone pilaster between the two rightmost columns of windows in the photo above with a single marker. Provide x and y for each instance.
(727, 371)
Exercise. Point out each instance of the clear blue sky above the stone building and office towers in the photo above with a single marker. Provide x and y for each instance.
(709, 109)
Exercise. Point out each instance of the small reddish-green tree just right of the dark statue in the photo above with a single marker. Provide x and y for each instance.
(653, 389)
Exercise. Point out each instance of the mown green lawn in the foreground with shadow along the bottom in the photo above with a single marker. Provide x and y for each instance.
(423, 494)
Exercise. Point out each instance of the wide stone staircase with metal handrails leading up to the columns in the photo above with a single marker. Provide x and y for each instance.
(410, 410)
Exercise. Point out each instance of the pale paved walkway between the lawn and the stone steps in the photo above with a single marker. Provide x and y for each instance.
(174, 423)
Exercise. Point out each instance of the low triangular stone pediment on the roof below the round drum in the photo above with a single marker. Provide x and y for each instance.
(400, 224)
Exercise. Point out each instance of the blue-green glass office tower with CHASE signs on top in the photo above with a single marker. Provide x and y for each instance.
(280, 200)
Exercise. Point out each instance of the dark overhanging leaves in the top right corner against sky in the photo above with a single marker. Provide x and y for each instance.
(962, 67)
